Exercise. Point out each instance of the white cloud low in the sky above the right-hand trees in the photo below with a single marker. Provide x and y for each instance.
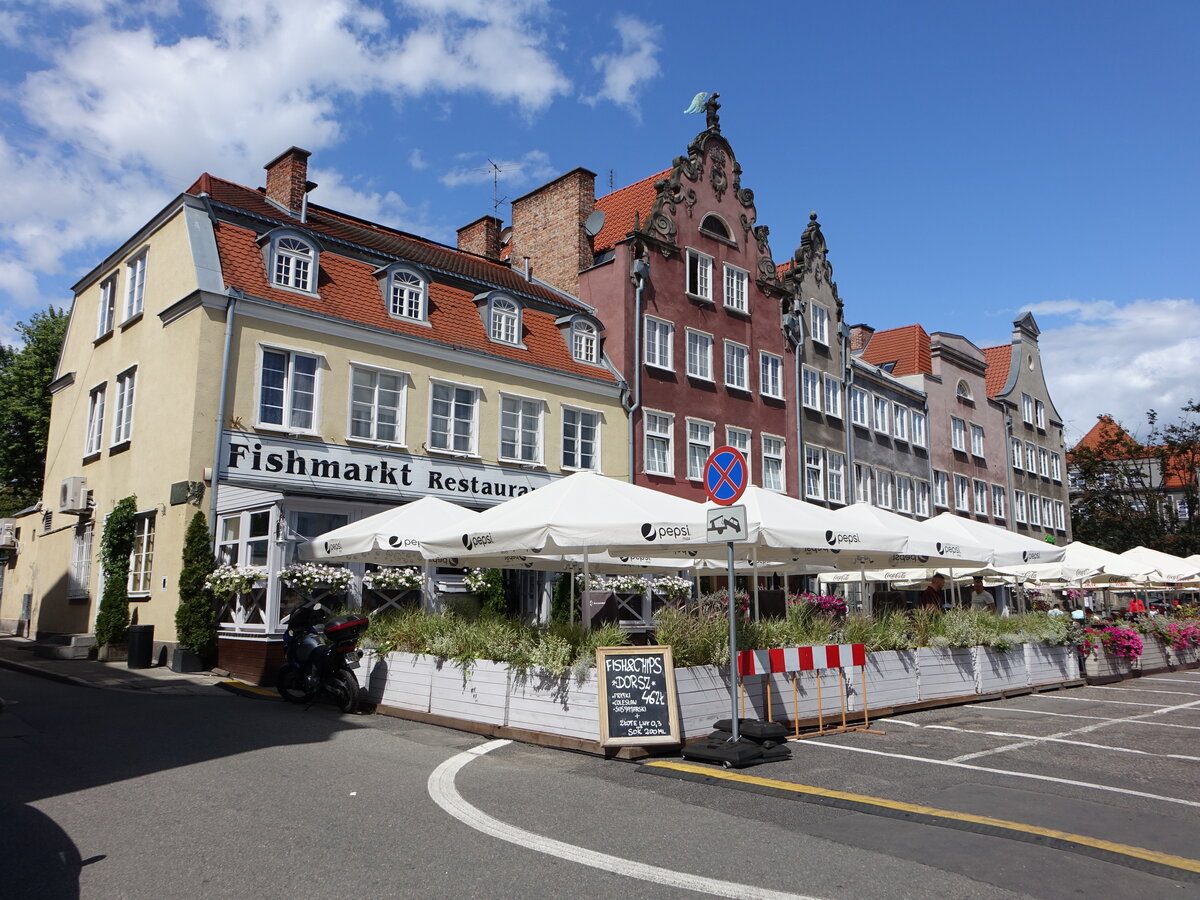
(1101, 357)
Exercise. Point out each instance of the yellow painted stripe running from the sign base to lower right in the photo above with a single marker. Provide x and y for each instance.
(1123, 854)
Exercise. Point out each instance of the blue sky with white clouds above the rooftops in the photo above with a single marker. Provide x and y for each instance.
(970, 160)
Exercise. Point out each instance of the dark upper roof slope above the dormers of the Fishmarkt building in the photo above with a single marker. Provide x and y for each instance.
(385, 241)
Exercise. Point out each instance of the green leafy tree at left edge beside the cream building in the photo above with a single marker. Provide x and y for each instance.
(26, 376)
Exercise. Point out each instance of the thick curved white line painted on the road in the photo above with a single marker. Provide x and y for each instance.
(445, 794)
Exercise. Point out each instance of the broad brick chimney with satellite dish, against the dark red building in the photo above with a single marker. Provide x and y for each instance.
(548, 227)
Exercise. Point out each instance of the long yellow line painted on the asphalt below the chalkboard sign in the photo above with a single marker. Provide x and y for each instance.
(1151, 856)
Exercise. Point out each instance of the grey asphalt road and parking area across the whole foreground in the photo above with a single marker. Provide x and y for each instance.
(119, 795)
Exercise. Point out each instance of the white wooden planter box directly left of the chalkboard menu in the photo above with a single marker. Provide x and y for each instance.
(542, 703)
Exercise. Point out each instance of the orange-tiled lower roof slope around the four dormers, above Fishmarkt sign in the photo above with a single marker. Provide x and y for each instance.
(350, 291)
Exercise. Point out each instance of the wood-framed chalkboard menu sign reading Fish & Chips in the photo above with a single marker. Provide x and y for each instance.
(638, 697)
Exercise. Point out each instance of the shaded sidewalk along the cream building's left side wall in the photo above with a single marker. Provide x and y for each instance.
(21, 655)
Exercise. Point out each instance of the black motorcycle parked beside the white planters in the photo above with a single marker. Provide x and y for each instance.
(321, 657)
